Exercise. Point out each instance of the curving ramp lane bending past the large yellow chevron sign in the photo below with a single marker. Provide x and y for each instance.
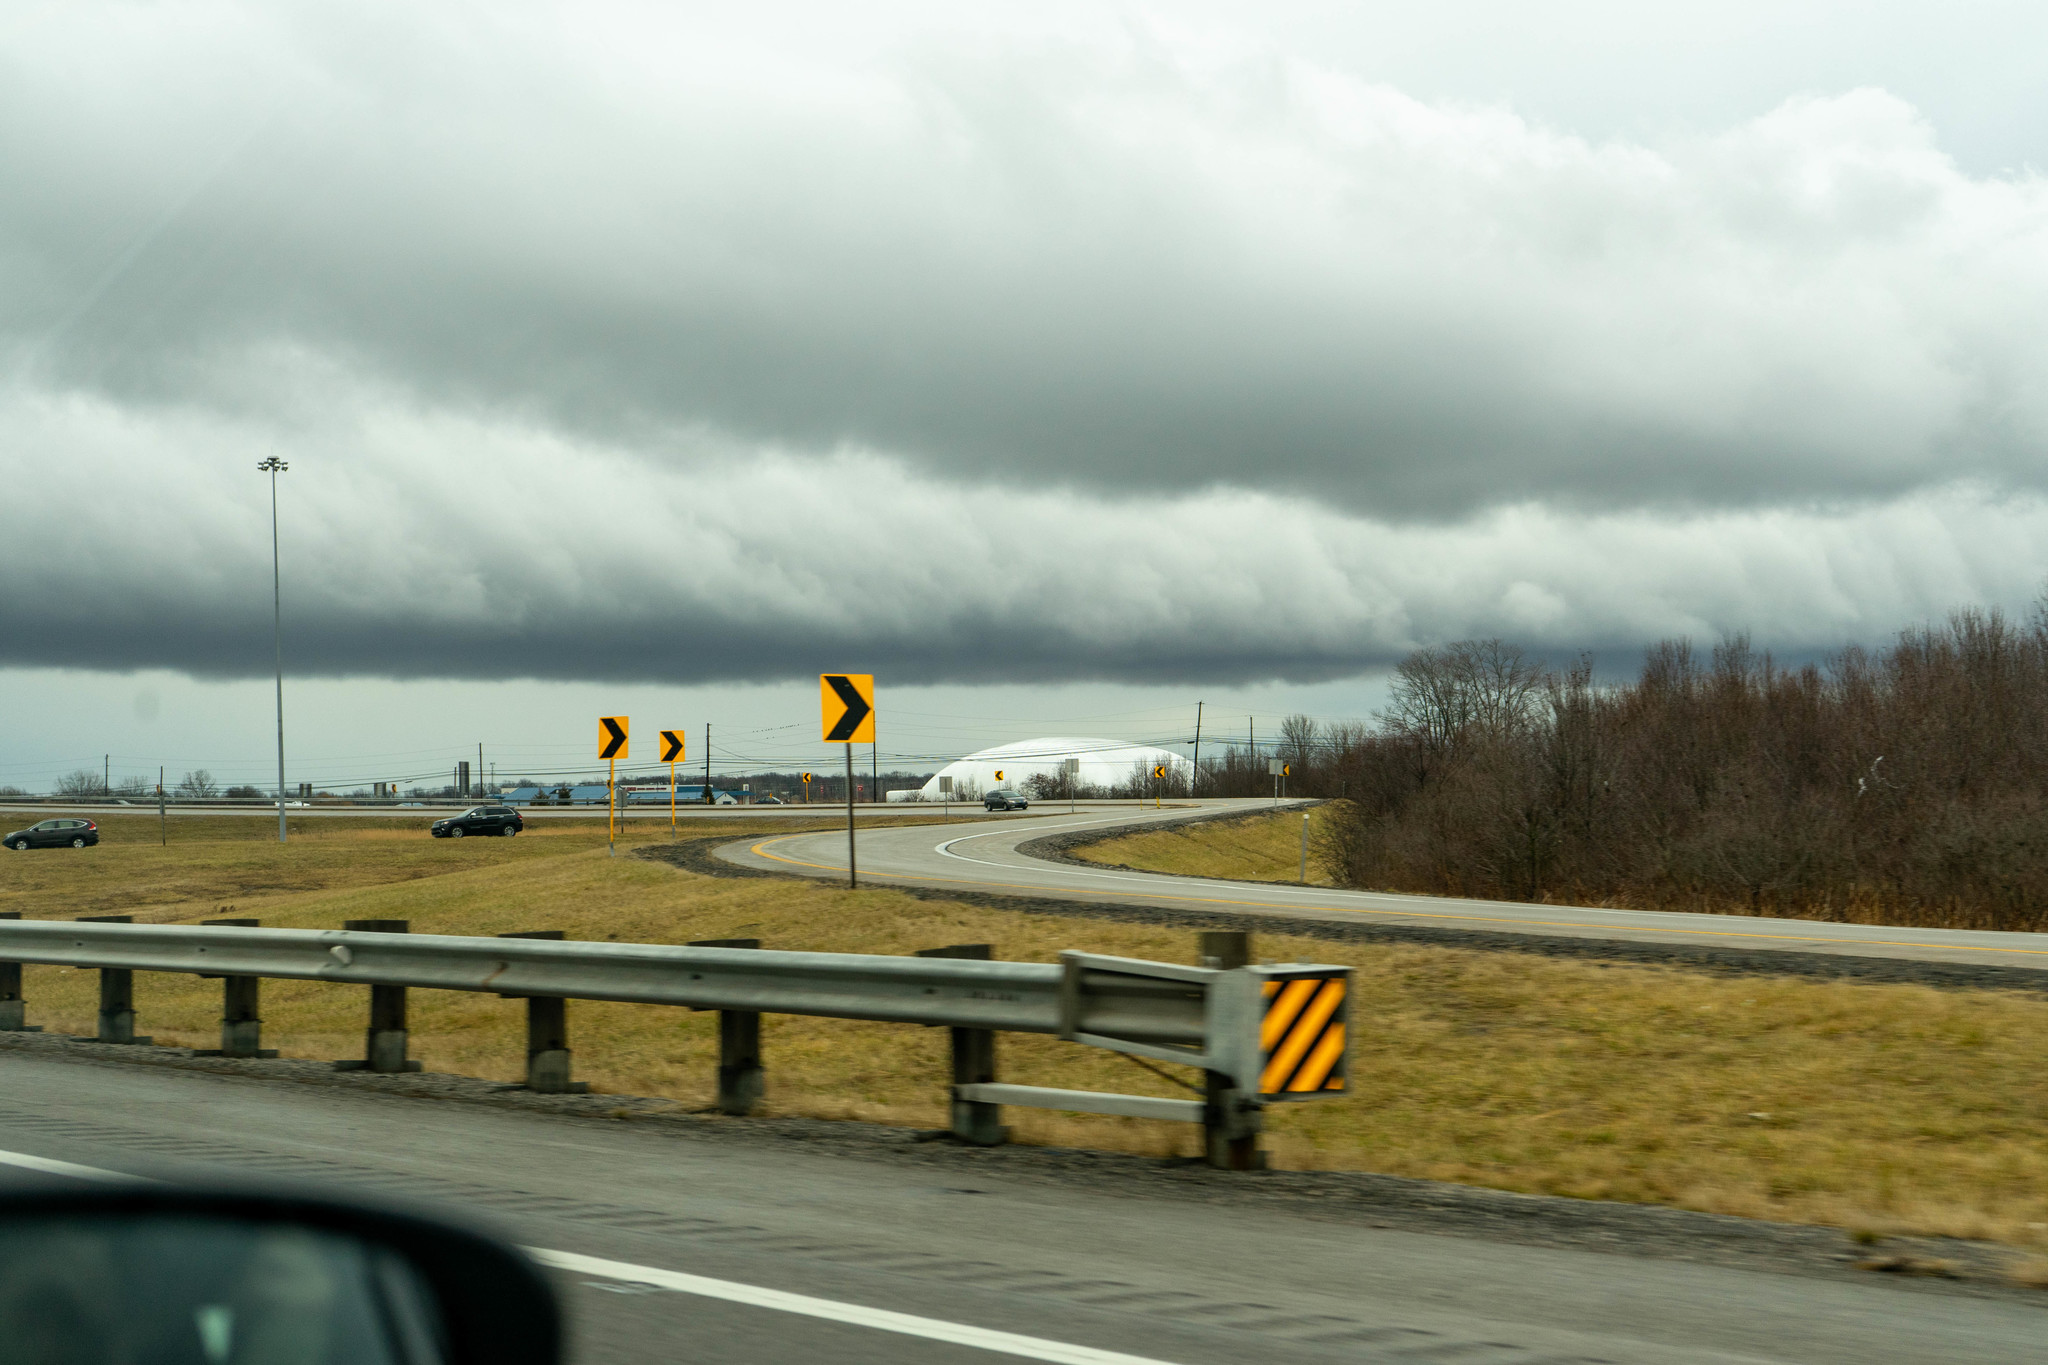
(990, 861)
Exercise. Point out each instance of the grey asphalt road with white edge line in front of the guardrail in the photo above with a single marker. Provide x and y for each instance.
(714, 1243)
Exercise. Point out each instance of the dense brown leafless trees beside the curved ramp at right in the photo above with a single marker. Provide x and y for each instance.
(1904, 785)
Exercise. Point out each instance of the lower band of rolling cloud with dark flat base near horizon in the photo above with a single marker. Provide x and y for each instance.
(431, 545)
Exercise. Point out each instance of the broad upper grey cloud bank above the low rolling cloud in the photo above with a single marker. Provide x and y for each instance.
(1121, 269)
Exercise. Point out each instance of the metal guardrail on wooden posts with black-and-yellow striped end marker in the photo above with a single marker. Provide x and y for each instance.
(1258, 1034)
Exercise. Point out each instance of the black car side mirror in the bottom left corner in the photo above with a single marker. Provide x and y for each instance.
(183, 1276)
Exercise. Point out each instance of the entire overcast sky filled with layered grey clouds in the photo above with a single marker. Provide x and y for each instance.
(1123, 357)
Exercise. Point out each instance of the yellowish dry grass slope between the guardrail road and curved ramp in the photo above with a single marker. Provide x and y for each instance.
(1873, 1108)
